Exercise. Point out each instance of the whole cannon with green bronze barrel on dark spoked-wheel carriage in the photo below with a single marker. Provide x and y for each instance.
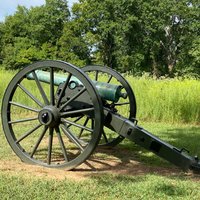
(55, 114)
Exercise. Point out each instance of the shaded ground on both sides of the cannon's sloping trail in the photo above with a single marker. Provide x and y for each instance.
(128, 158)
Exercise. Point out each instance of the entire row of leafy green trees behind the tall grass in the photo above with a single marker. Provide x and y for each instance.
(159, 37)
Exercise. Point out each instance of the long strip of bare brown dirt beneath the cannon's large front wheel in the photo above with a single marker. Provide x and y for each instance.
(84, 171)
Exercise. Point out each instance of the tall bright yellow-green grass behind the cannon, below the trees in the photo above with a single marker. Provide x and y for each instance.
(167, 100)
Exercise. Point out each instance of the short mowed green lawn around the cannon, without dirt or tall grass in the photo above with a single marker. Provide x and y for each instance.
(161, 181)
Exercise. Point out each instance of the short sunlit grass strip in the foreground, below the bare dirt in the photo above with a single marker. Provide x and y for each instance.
(100, 187)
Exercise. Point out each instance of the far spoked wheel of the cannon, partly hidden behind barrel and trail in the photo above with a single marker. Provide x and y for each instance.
(124, 107)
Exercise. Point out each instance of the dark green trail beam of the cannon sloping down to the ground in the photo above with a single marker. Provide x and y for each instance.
(140, 136)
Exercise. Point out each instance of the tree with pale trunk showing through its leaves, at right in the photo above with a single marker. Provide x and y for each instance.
(169, 31)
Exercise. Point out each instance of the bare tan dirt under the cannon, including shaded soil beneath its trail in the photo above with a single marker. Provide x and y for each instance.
(96, 165)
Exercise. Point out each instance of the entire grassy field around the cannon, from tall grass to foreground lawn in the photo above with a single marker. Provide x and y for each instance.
(126, 171)
